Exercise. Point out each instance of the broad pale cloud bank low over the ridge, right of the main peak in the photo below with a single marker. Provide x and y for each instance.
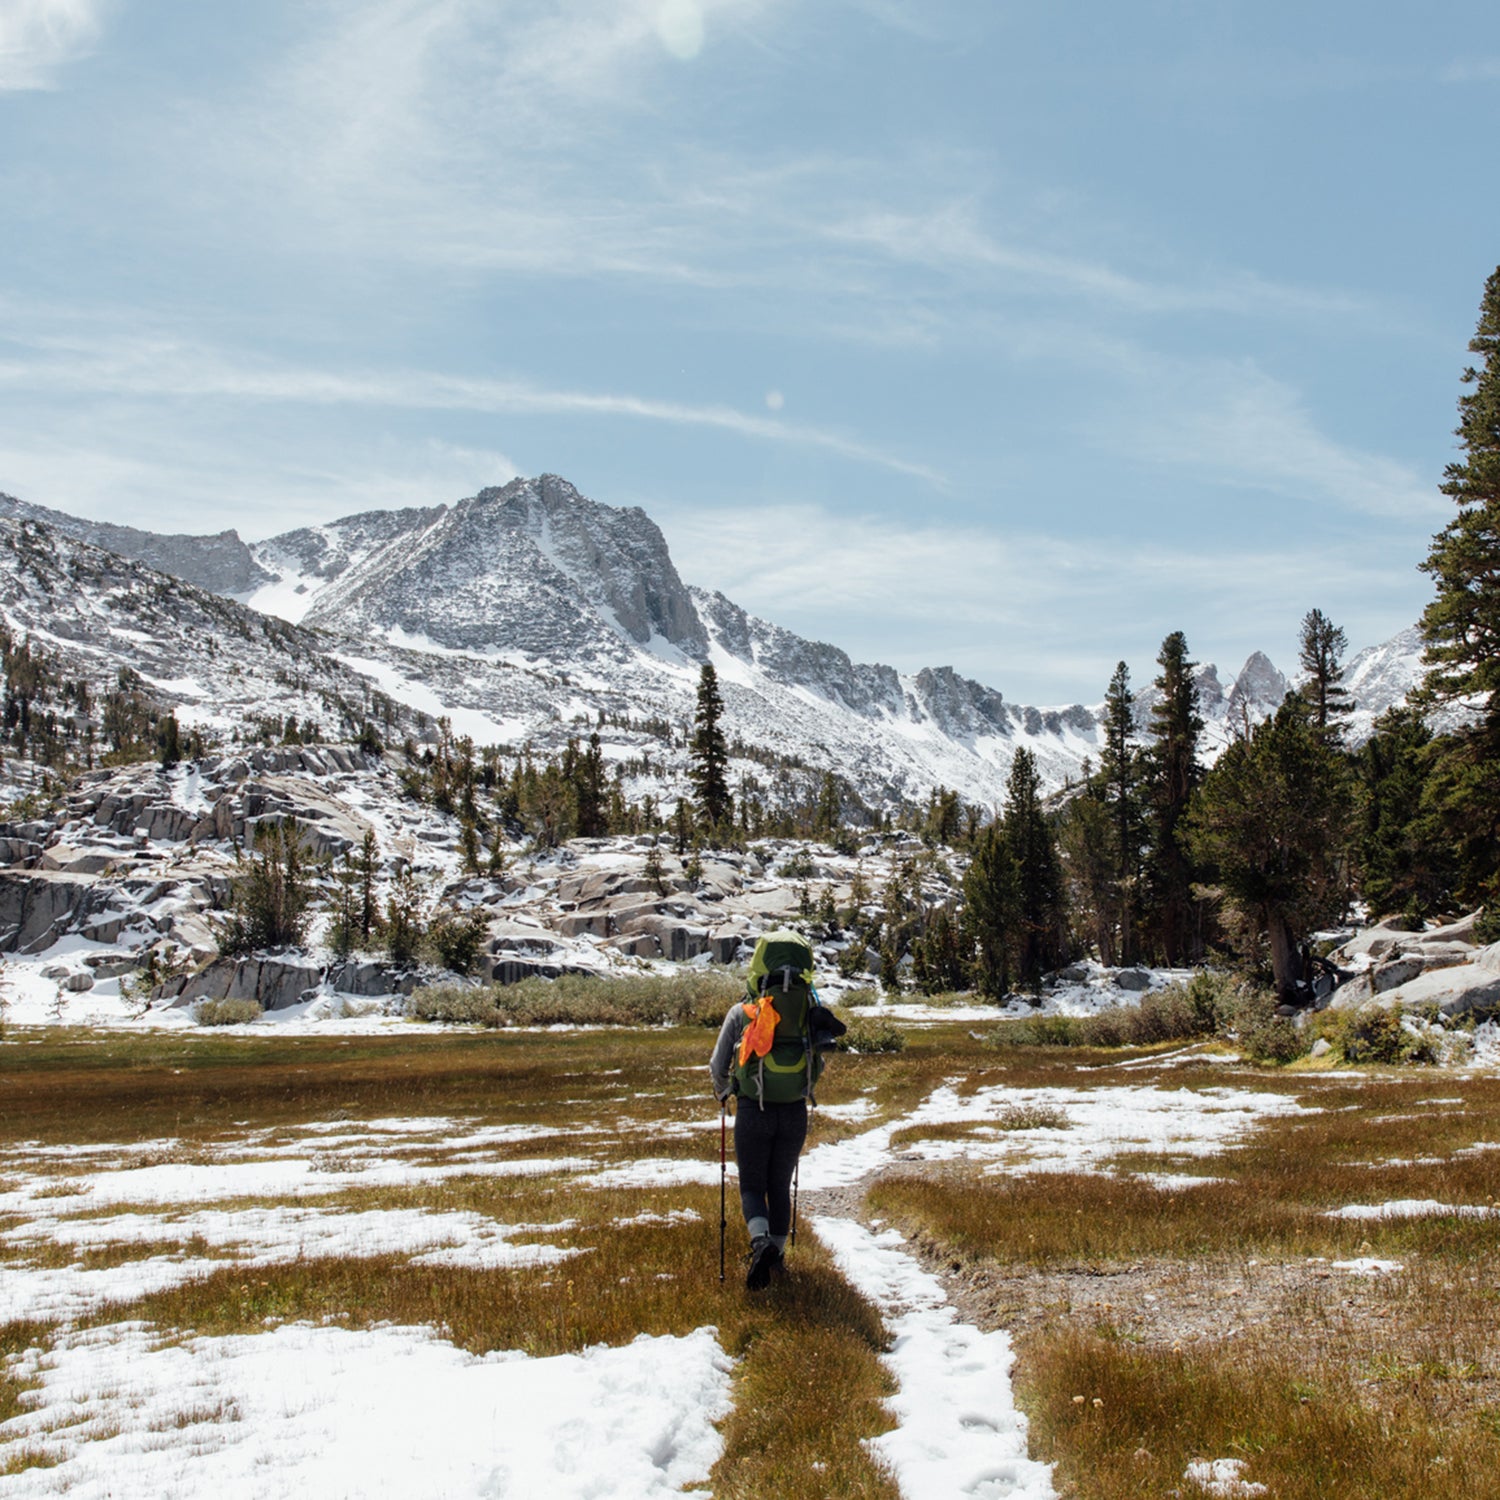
(1040, 617)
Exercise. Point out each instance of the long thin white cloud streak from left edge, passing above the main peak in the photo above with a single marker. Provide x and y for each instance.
(152, 368)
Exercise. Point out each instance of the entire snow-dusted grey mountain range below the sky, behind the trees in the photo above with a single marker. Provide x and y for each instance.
(529, 614)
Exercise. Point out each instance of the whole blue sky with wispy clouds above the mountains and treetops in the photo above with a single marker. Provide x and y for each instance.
(1001, 335)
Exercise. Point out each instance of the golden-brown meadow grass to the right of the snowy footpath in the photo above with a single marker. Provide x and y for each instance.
(1328, 1387)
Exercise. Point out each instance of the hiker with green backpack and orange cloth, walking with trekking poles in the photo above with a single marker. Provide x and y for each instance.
(769, 1057)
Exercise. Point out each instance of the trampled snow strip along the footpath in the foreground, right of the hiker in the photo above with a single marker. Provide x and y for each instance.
(958, 1432)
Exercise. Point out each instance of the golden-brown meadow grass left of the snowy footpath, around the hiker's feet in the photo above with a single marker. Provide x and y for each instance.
(809, 1382)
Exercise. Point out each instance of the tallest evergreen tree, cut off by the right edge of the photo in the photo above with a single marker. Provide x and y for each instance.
(1462, 626)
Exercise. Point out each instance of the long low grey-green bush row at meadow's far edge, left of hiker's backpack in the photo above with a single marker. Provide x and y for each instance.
(698, 997)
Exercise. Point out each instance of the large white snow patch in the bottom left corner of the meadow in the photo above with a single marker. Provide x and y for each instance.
(386, 1412)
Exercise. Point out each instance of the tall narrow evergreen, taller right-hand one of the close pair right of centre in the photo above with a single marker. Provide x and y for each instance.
(1174, 776)
